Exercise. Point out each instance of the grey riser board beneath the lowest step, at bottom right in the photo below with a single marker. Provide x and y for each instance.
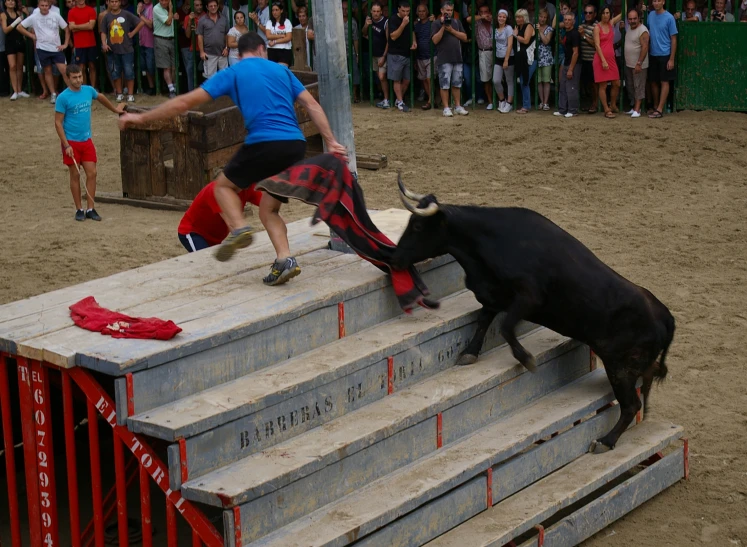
(616, 503)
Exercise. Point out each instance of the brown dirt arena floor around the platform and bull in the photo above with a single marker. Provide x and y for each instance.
(661, 201)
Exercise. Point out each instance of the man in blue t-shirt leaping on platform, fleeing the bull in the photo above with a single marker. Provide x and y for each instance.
(265, 93)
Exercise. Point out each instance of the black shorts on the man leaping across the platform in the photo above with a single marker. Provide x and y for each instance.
(256, 162)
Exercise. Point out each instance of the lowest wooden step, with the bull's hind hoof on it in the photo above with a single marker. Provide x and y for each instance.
(532, 506)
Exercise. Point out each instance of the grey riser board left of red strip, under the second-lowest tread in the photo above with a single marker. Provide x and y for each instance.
(433, 519)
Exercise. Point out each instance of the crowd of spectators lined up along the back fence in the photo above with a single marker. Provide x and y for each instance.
(597, 48)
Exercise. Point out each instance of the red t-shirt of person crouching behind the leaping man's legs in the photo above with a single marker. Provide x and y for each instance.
(203, 216)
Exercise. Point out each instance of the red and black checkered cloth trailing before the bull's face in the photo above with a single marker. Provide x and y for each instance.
(326, 181)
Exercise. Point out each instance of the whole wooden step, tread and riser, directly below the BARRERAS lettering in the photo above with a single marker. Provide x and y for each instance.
(347, 453)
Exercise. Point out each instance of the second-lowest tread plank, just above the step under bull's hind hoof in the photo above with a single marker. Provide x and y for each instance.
(385, 500)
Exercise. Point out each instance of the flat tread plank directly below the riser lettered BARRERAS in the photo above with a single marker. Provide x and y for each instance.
(276, 467)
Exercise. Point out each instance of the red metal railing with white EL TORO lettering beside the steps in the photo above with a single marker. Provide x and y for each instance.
(34, 398)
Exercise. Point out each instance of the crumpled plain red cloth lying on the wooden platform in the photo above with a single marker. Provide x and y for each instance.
(88, 315)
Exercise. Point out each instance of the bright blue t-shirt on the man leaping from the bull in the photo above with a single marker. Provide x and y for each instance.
(268, 91)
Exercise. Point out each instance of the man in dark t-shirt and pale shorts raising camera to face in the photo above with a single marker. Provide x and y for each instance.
(448, 35)
